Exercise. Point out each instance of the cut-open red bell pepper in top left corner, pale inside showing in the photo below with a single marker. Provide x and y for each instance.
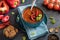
(4, 8)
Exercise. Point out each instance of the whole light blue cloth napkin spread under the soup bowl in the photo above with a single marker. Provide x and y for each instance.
(36, 32)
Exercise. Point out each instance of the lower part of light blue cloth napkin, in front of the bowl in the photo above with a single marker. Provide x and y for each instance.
(39, 31)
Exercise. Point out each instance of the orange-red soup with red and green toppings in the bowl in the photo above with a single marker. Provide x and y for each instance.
(32, 16)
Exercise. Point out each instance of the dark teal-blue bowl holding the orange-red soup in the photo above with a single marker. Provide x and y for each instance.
(32, 24)
